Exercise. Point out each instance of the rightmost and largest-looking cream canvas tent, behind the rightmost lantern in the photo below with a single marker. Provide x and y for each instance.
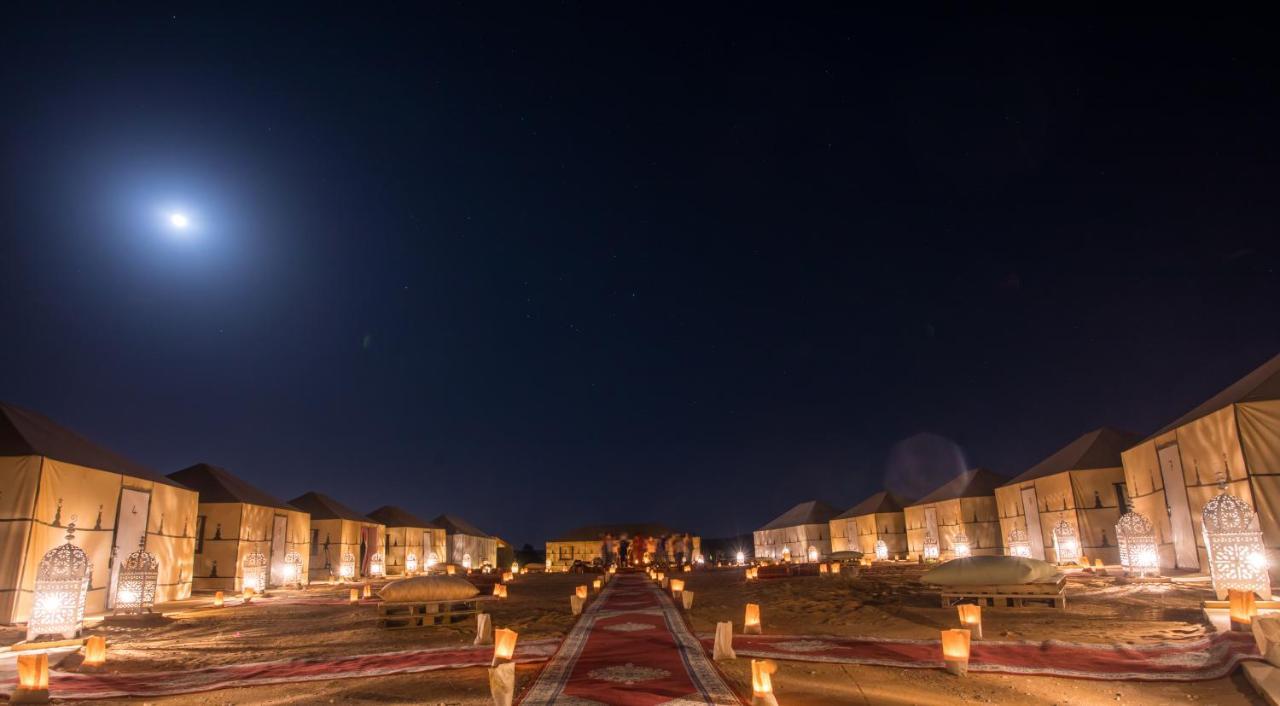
(1174, 473)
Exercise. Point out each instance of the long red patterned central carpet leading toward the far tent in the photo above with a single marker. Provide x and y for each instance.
(632, 648)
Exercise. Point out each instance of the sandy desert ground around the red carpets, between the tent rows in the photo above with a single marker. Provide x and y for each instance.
(894, 606)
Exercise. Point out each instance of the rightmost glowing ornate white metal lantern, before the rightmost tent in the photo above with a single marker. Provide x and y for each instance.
(1237, 557)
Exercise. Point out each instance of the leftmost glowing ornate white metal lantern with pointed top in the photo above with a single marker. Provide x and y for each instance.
(62, 585)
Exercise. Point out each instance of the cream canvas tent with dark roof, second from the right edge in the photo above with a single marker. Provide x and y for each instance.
(1081, 484)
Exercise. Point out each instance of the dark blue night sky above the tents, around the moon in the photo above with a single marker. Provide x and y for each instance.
(551, 265)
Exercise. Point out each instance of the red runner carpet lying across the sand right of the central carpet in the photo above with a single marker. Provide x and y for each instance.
(1209, 658)
